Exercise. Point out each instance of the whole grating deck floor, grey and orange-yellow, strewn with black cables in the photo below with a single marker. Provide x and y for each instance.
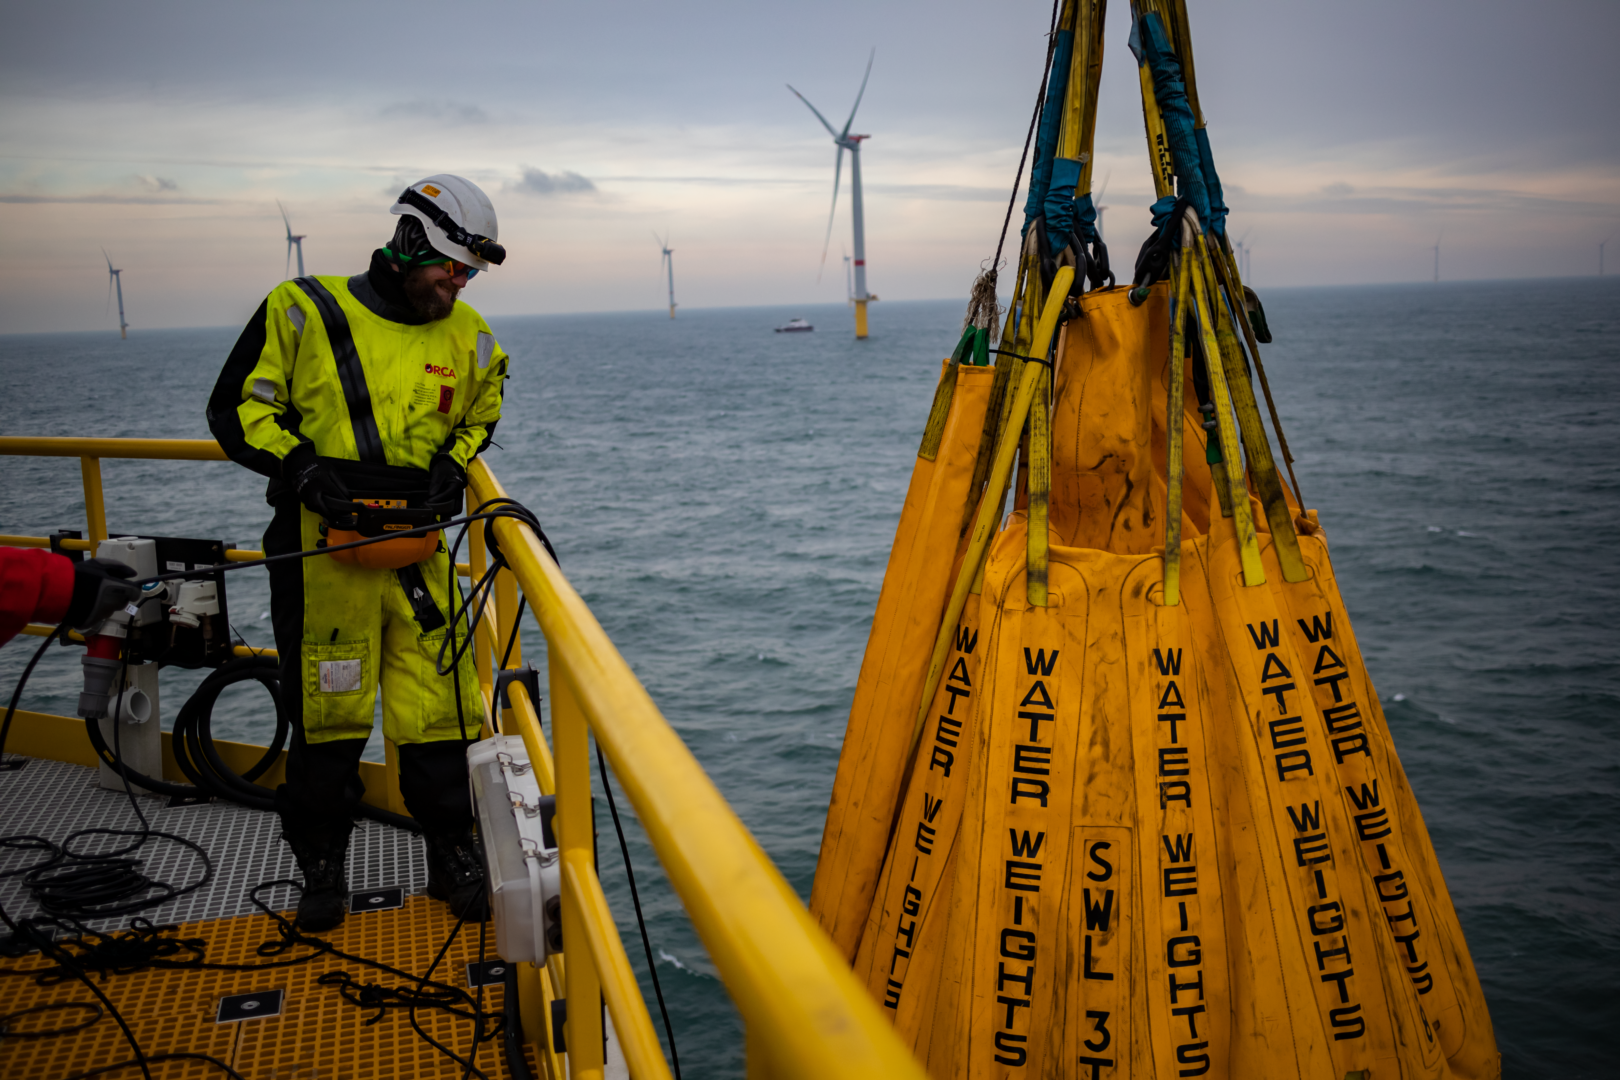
(318, 1034)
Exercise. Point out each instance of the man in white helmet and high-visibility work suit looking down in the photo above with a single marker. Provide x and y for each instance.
(382, 385)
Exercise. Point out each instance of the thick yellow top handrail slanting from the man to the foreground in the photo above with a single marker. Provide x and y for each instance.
(801, 1001)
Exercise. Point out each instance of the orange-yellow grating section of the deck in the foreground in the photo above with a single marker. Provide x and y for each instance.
(318, 1035)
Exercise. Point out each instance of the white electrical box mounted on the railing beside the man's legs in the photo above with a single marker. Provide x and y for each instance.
(521, 851)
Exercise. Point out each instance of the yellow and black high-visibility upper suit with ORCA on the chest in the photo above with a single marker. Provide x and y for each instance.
(399, 396)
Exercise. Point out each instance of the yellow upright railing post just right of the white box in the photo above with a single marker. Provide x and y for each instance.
(574, 827)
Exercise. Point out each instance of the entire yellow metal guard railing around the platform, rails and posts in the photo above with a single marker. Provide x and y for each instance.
(808, 1014)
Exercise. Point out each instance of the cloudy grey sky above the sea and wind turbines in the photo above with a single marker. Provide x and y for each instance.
(1349, 135)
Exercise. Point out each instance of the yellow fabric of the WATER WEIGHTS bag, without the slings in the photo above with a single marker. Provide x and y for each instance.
(1141, 840)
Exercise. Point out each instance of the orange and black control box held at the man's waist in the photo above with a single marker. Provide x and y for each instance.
(383, 500)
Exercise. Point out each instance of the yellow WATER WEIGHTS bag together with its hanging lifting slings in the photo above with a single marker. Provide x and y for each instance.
(1117, 799)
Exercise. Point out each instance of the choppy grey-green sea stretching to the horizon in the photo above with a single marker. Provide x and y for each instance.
(725, 500)
